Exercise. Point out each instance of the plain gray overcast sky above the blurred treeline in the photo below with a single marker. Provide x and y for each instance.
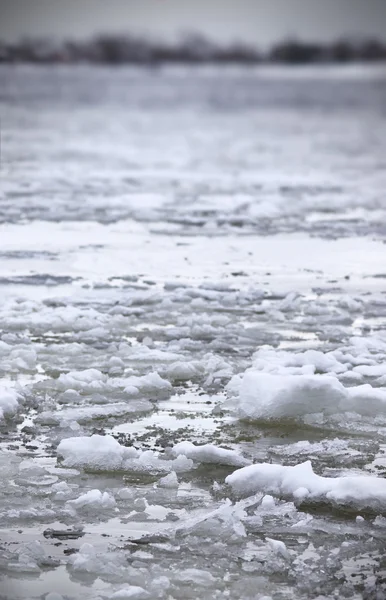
(257, 21)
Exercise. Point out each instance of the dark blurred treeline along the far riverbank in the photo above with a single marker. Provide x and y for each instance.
(193, 49)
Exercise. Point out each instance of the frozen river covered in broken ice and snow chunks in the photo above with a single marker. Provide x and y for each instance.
(193, 334)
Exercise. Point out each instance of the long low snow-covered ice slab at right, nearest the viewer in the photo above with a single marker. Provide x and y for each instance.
(301, 483)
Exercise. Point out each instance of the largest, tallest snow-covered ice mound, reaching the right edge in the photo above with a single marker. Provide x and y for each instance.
(265, 396)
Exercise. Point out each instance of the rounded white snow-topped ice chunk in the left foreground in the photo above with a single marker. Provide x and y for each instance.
(98, 452)
